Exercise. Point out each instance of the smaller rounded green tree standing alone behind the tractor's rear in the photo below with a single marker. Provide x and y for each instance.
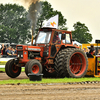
(81, 33)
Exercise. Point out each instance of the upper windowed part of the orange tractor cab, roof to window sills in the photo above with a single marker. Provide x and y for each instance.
(50, 36)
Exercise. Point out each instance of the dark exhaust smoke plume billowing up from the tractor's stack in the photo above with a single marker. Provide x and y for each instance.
(34, 7)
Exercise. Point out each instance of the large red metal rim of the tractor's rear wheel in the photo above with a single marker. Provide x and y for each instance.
(77, 64)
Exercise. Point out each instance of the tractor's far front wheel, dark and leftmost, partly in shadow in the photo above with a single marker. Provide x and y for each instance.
(12, 70)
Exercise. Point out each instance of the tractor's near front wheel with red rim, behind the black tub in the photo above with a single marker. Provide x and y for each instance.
(34, 67)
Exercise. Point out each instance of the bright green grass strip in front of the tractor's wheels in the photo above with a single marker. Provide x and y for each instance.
(48, 80)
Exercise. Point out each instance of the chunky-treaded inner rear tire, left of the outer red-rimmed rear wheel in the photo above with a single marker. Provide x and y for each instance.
(59, 64)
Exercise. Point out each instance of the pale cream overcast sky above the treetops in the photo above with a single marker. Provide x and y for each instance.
(85, 11)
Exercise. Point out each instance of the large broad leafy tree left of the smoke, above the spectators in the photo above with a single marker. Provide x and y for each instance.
(14, 26)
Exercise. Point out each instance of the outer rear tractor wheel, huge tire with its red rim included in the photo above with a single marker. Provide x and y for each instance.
(76, 63)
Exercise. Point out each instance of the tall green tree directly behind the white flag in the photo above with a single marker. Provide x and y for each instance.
(48, 12)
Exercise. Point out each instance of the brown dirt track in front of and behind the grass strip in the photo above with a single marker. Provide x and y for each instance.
(49, 91)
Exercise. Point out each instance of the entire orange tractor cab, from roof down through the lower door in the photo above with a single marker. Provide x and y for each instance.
(53, 40)
